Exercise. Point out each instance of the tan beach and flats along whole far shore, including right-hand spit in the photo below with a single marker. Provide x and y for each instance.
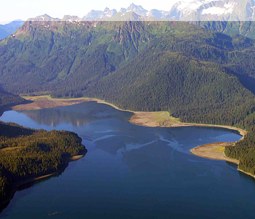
(213, 151)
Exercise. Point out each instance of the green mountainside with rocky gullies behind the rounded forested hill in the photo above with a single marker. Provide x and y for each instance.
(48, 55)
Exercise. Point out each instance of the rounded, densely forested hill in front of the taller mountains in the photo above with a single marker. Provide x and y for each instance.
(190, 89)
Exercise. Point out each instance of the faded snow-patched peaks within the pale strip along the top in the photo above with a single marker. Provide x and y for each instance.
(185, 10)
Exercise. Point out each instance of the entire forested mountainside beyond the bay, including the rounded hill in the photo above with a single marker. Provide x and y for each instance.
(194, 72)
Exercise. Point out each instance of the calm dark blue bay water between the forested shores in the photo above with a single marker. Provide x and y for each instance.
(132, 171)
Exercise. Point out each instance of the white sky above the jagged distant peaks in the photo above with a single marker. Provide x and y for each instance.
(22, 9)
